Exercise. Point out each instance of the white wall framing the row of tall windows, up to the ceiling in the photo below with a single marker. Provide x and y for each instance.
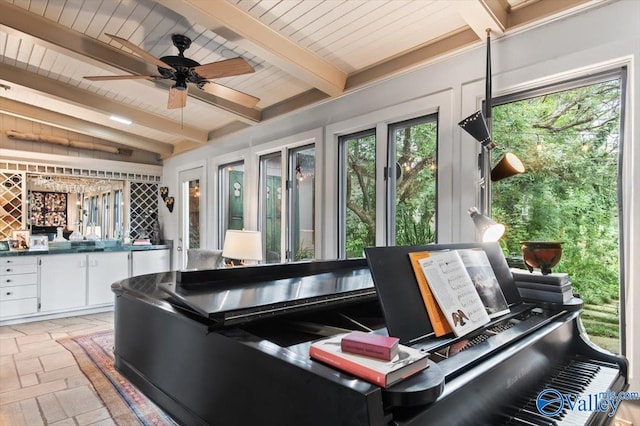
(604, 37)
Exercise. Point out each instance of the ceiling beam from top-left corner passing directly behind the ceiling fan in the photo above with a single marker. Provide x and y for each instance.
(79, 46)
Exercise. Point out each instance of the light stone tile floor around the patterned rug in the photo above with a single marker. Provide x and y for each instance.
(41, 384)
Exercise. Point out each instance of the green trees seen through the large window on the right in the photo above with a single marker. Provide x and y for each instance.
(569, 190)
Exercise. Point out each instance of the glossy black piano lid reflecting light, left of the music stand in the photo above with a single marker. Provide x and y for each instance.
(239, 294)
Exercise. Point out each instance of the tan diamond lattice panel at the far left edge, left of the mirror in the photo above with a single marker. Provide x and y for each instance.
(12, 186)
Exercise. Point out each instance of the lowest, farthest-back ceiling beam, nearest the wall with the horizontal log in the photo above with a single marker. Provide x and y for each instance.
(66, 122)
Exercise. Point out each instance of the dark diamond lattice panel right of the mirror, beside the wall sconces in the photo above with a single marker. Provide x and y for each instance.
(143, 209)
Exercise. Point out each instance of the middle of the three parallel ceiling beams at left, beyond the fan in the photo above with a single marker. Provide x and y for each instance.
(95, 102)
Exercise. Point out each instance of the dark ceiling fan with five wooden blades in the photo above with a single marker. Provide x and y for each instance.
(184, 70)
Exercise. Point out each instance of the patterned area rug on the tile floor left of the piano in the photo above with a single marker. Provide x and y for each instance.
(127, 405)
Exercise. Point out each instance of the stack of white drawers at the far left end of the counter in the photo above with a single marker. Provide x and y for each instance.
(18, 285)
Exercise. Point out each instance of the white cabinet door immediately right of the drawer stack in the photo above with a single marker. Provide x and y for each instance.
(63, 282)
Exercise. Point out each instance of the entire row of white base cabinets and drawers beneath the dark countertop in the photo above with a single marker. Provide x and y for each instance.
(60, 283)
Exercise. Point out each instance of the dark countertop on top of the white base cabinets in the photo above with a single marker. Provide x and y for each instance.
(87, 247)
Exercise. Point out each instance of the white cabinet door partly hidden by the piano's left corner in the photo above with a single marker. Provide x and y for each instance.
(105, 269)
